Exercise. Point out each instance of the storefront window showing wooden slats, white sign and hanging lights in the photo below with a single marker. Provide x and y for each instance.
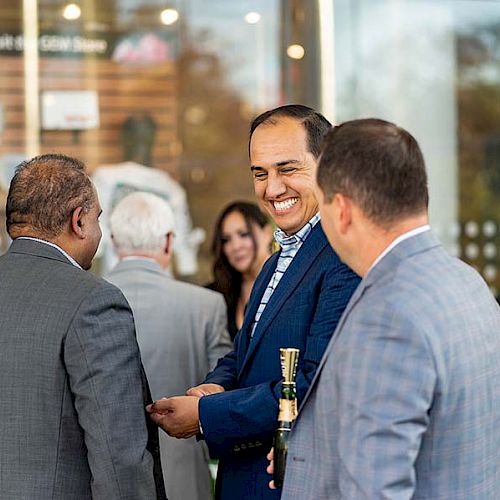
(192, 72)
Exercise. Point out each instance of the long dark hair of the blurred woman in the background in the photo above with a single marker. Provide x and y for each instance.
(226, 279)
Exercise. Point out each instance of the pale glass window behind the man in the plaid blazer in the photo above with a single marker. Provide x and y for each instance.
(433, 67)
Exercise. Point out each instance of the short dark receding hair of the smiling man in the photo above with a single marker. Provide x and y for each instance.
(316, 124)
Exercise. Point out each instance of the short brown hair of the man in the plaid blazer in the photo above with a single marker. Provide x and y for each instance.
(378, 165)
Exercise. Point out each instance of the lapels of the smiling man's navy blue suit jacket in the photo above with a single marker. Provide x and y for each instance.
(301, 263)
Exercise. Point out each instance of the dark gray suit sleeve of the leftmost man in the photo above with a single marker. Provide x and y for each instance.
(105, 376)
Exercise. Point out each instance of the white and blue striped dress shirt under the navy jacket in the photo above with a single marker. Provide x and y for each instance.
(290, 245)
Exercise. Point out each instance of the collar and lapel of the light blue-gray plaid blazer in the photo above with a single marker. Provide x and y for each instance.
(389, 263)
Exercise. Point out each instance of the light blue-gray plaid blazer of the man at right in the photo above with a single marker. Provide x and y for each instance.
(406, 401)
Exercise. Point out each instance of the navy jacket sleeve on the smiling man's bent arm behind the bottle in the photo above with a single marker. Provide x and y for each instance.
(246, 417)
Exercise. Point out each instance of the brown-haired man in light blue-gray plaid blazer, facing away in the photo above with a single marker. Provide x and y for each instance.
(406, 401)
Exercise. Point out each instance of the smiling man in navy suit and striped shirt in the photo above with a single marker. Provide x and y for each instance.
(296, 301)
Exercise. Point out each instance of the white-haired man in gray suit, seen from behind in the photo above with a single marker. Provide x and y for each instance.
(181, 328)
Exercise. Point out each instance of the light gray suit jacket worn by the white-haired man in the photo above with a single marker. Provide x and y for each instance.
(181, 331)
